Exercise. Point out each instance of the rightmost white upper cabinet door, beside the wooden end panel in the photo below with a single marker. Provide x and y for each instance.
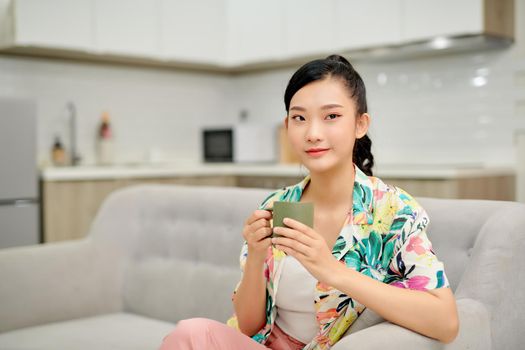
(424, 19)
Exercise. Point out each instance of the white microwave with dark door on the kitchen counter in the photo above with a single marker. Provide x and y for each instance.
(241, 143)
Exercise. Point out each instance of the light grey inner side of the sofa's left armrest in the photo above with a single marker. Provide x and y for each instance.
(55, 282)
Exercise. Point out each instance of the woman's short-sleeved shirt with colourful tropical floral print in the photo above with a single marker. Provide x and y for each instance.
(384, 238)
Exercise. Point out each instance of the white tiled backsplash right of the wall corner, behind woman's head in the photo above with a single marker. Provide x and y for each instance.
(423, 110)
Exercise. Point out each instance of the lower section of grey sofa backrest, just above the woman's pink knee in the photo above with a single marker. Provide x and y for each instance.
(173, 290)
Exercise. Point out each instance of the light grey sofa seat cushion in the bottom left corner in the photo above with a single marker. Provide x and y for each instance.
(107, 331)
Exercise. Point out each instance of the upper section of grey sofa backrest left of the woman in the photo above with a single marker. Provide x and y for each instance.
(194, 223)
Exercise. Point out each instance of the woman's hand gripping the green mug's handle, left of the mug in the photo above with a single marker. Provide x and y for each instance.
(257, 233)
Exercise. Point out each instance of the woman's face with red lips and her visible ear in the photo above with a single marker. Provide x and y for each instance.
(323, 125)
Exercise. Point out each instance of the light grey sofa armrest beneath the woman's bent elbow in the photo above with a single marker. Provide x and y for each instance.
(474, 333)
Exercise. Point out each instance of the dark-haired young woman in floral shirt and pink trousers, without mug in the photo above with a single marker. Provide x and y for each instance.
(368, 246)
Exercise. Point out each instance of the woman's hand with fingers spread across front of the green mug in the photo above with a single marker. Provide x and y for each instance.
(307, 246)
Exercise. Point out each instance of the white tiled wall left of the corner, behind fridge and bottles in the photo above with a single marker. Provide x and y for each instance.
(149, 108)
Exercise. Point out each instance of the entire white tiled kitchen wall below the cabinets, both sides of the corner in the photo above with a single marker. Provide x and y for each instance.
(423, 111)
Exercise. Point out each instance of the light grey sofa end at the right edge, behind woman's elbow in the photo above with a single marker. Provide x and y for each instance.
(494, 275)
